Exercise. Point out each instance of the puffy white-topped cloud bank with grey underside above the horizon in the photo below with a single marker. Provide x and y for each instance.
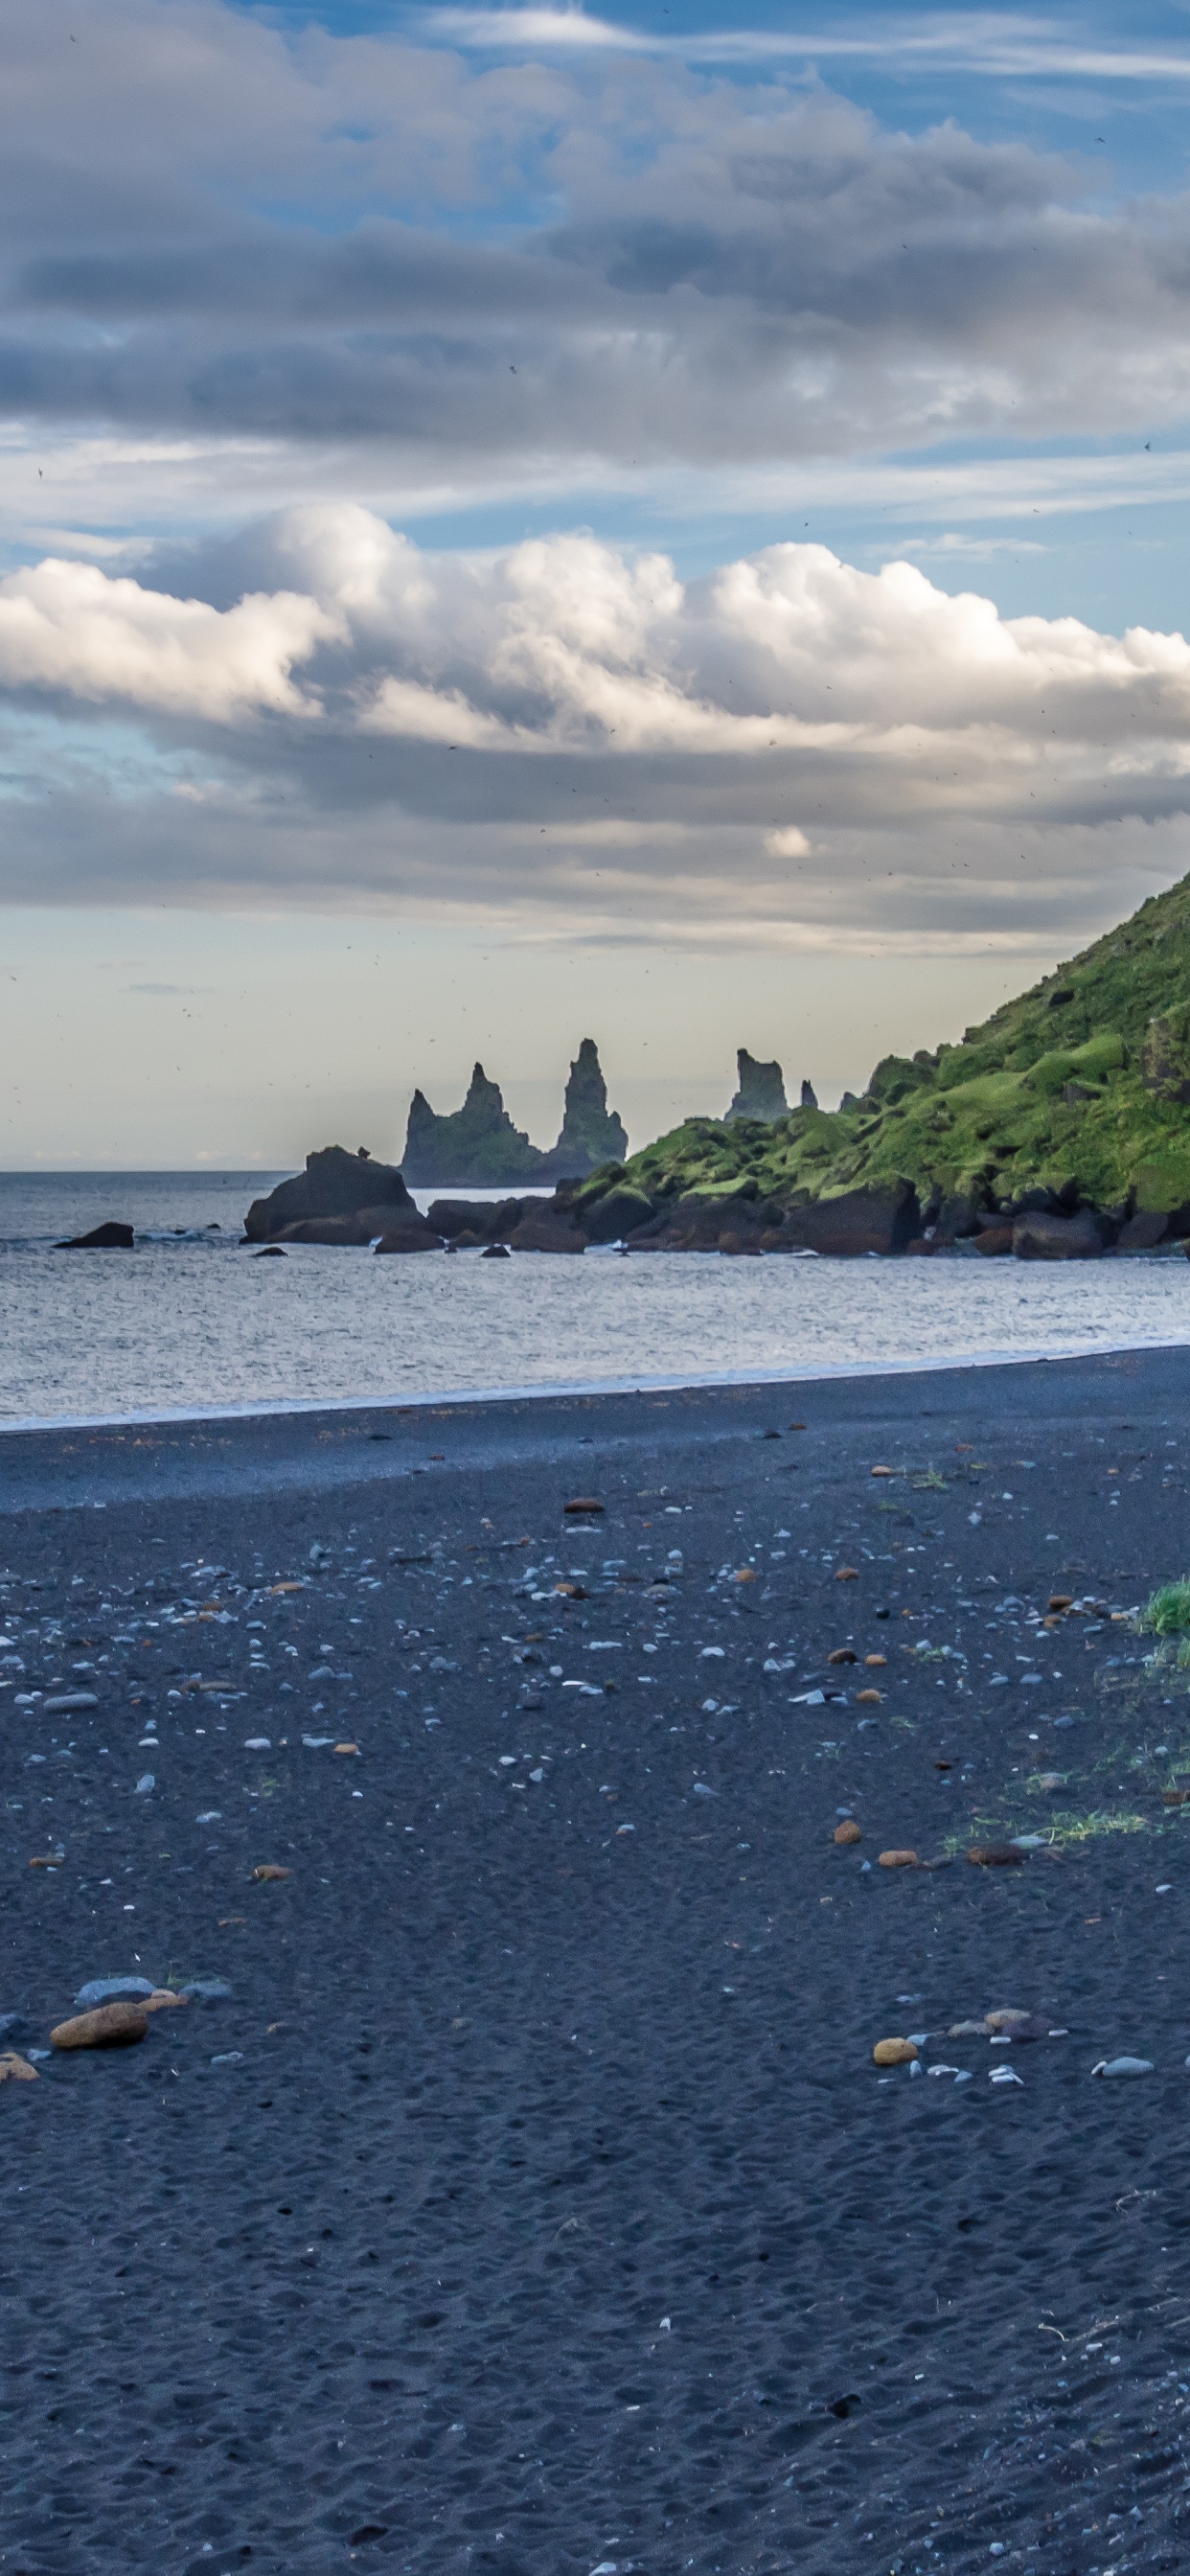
(568, 741)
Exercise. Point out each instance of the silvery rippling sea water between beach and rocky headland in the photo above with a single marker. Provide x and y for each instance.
(189, 1320)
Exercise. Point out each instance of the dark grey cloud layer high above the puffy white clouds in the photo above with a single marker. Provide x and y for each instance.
(534, 264)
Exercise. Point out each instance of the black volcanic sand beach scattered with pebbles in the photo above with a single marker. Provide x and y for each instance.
(534, 2204)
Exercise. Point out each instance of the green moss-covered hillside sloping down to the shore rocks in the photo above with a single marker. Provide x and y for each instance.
(1081, 1088)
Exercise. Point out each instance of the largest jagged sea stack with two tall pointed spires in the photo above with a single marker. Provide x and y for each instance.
(480, 1148)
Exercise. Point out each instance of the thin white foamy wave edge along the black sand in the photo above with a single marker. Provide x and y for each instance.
(398, 1403)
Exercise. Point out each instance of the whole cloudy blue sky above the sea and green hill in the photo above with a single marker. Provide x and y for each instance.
(527, 524)
